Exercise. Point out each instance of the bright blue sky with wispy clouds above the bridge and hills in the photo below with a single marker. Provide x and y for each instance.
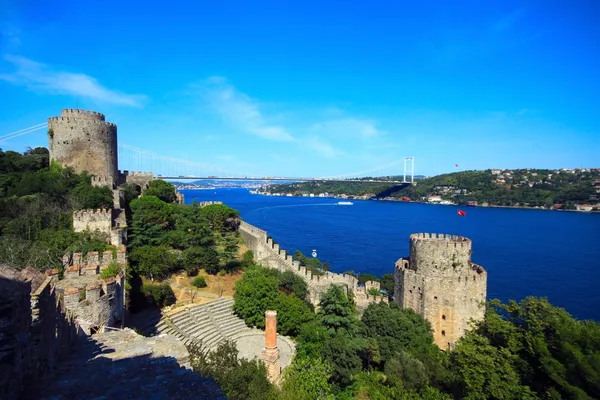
(314, 89)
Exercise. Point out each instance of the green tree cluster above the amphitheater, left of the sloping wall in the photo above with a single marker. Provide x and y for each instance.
(167, 236)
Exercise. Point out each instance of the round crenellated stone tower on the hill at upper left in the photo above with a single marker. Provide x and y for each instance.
(84, 141)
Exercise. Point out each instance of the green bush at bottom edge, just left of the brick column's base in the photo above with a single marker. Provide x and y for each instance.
(239, 379)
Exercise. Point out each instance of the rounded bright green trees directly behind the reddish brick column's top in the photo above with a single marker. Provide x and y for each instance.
(262, 289)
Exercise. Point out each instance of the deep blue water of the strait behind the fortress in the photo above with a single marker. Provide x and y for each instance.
(526, 252)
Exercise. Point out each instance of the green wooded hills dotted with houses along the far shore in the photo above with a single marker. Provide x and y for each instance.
(522, 187)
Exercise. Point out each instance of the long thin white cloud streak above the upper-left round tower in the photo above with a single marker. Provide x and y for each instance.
(38, 76)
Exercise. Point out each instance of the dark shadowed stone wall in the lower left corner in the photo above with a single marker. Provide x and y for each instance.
(35, 331)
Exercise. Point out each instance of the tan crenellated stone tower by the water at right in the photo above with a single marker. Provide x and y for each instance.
(440, 282)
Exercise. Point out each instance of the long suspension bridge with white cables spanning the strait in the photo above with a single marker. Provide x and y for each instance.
(133, 158)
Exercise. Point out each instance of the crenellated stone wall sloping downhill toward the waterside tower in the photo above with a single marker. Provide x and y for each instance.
(269, 253)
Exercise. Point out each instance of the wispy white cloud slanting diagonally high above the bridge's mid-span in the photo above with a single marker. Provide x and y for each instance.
(242, 112)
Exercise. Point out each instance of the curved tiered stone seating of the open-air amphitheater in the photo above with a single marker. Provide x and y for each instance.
(208, 324)
